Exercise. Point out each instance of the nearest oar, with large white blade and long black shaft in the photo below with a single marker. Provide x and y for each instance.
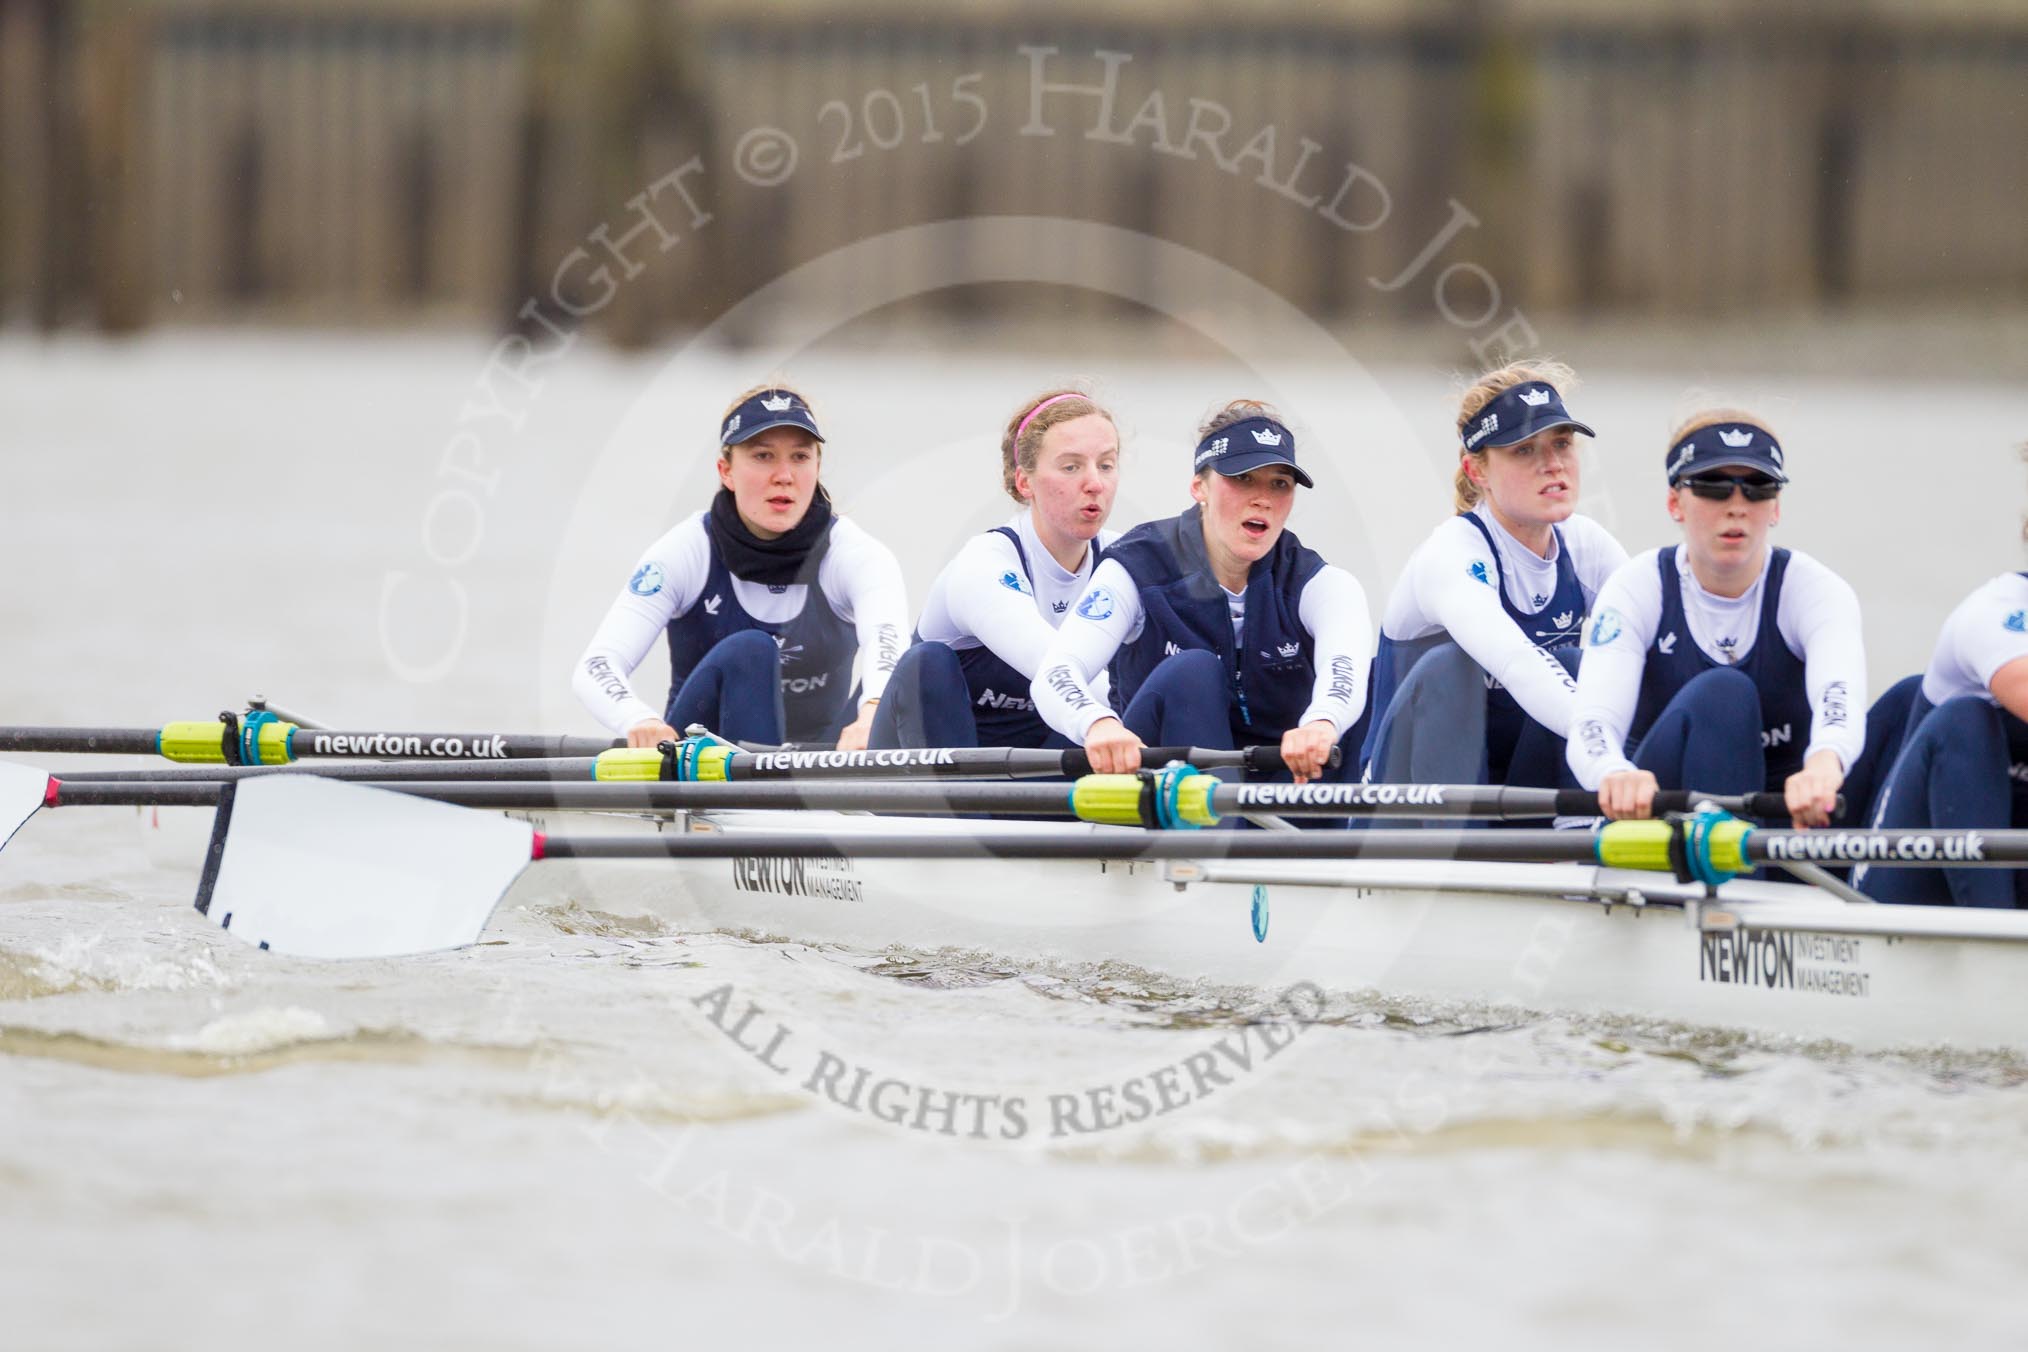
(338, 871)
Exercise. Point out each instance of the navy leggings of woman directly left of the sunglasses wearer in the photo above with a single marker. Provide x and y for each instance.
(1439, 731)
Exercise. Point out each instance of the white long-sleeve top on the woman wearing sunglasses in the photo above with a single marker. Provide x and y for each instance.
(1818, 619)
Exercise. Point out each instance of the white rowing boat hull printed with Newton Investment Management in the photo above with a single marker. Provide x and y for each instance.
(1767, 958)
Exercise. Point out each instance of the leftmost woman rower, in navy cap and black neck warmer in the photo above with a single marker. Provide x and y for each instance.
(766, 601)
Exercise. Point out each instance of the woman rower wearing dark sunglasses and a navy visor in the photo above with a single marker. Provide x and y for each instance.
(1721, 664)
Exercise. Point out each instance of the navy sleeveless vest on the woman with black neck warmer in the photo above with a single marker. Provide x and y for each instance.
(816, 654)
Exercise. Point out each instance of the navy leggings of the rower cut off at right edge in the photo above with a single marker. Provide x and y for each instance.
(1952, 777)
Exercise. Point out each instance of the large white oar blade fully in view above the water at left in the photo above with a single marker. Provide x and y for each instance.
(323, 869)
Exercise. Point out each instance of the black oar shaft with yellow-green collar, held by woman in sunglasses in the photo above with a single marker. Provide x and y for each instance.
(1104, 800)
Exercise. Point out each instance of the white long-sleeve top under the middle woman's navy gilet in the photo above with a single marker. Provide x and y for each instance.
(1333, 607)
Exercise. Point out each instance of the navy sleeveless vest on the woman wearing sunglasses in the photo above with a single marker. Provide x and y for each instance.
(1778, 672)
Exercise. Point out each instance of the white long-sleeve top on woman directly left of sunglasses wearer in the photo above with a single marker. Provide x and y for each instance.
(1441, 591)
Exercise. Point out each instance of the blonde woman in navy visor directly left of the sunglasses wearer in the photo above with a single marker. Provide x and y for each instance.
(1479, 644)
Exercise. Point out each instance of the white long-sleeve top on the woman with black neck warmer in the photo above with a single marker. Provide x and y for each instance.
(859, 577)
